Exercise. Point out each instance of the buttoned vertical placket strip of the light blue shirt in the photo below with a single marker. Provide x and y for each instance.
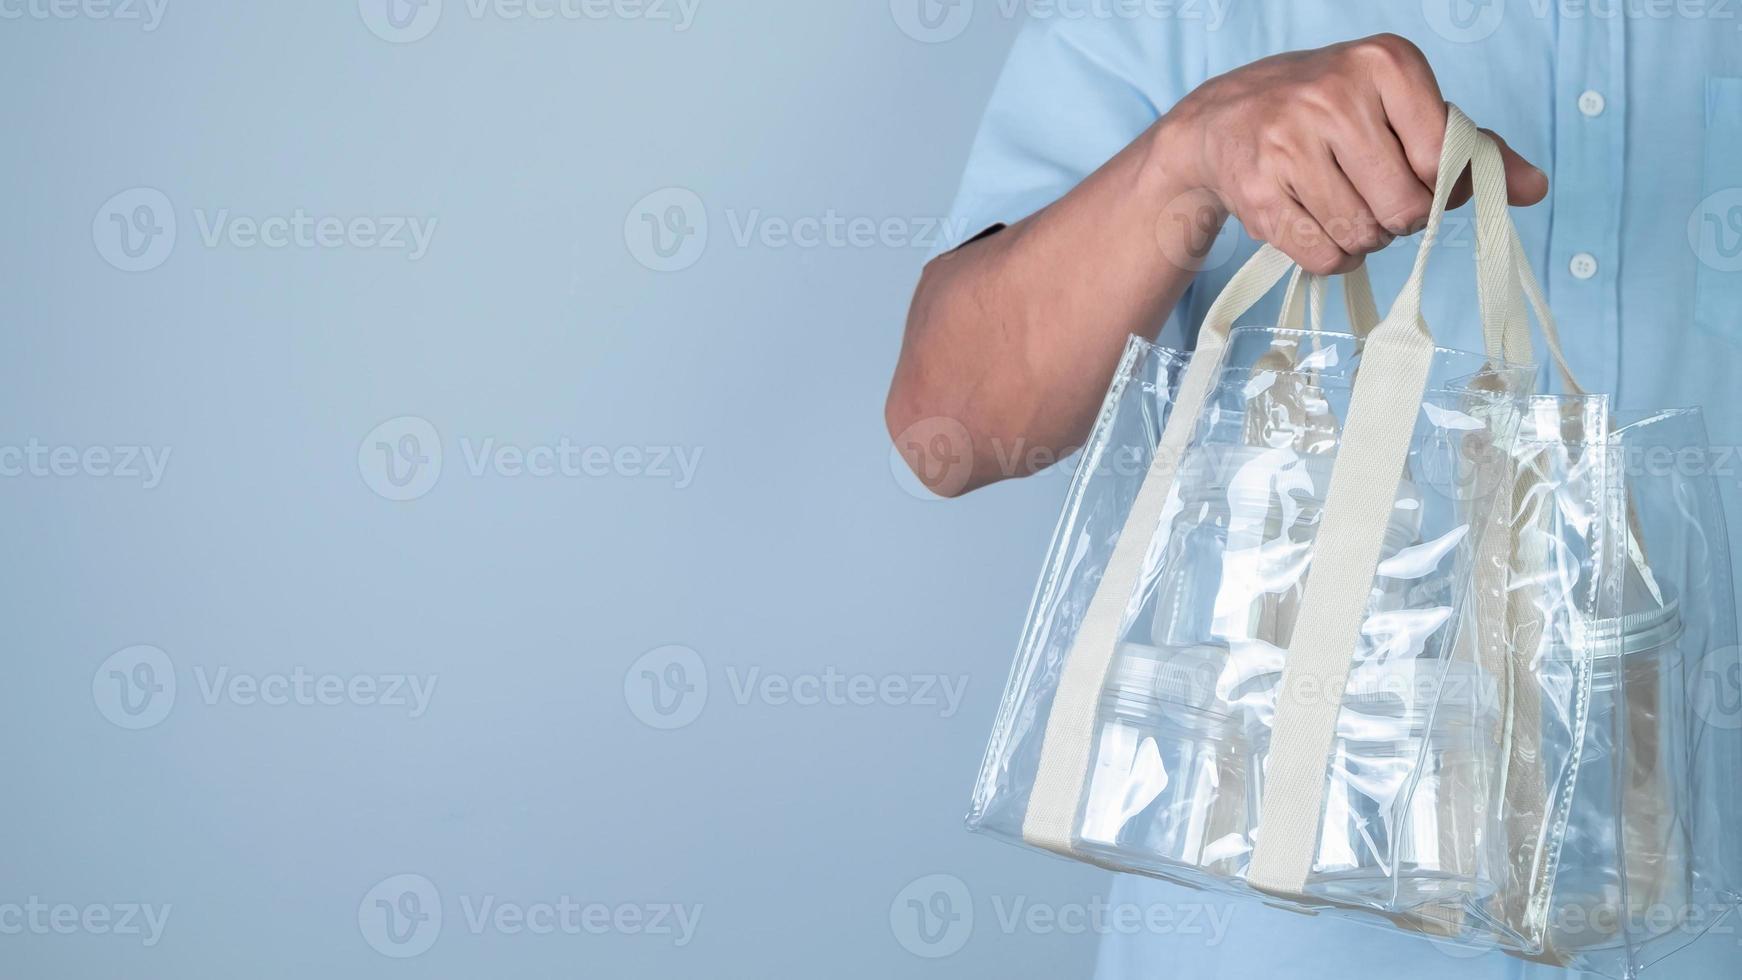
(1590, 170)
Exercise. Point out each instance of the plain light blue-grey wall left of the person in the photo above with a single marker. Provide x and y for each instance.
(266, 551)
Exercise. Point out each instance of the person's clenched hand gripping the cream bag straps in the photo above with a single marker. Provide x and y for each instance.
(1325, 154)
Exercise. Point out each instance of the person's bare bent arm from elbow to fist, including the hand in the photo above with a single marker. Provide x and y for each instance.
(1327, 154)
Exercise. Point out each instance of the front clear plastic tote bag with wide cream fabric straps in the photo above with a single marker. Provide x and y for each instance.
(1191, 704)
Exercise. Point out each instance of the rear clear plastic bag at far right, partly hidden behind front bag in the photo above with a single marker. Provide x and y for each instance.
(1651, 857)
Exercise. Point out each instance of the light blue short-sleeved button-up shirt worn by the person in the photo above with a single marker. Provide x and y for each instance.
(1635, 109)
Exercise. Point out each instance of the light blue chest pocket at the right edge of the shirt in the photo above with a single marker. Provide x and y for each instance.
(1715, 231)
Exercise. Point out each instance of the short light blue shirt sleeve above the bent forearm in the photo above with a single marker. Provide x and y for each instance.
(1072, 95)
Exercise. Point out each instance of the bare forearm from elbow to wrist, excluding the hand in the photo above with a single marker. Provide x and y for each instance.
(1015, 337)
